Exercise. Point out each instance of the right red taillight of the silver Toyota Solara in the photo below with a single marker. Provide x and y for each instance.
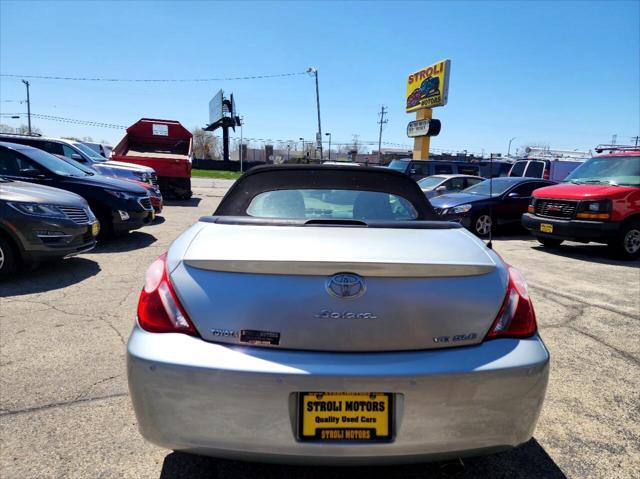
(516, 318)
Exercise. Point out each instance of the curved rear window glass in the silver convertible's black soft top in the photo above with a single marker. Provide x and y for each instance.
(331, 204)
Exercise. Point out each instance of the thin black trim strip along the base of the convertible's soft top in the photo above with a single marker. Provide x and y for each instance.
(253, 221)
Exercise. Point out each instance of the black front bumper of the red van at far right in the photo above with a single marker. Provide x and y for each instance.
(572, 230)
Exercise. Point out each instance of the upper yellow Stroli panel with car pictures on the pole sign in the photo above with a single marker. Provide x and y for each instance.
(429, 87)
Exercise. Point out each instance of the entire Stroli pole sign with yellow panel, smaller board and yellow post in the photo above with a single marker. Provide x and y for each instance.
(427, 88)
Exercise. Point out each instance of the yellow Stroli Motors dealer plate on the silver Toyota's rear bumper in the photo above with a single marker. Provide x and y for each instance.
(345, 417)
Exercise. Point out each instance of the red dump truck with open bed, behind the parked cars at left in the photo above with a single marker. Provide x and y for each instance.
(164, 145)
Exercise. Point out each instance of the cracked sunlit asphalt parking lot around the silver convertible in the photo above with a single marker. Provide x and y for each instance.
(65, 411)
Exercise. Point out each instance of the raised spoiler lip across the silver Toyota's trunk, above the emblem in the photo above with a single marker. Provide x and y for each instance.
(328, 268)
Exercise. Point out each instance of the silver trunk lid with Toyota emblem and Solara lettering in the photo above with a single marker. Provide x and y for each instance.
(271, 286)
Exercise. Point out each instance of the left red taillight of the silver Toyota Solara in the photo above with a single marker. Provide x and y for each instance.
(159, 310)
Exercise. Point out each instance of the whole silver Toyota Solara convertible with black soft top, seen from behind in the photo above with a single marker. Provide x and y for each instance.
(324, 315)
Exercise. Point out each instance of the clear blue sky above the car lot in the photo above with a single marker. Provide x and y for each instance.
(566, 74)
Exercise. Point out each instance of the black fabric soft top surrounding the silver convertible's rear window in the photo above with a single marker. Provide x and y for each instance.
(284, 177)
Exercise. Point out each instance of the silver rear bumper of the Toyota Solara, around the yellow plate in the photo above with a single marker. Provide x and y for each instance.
(238, 402)
